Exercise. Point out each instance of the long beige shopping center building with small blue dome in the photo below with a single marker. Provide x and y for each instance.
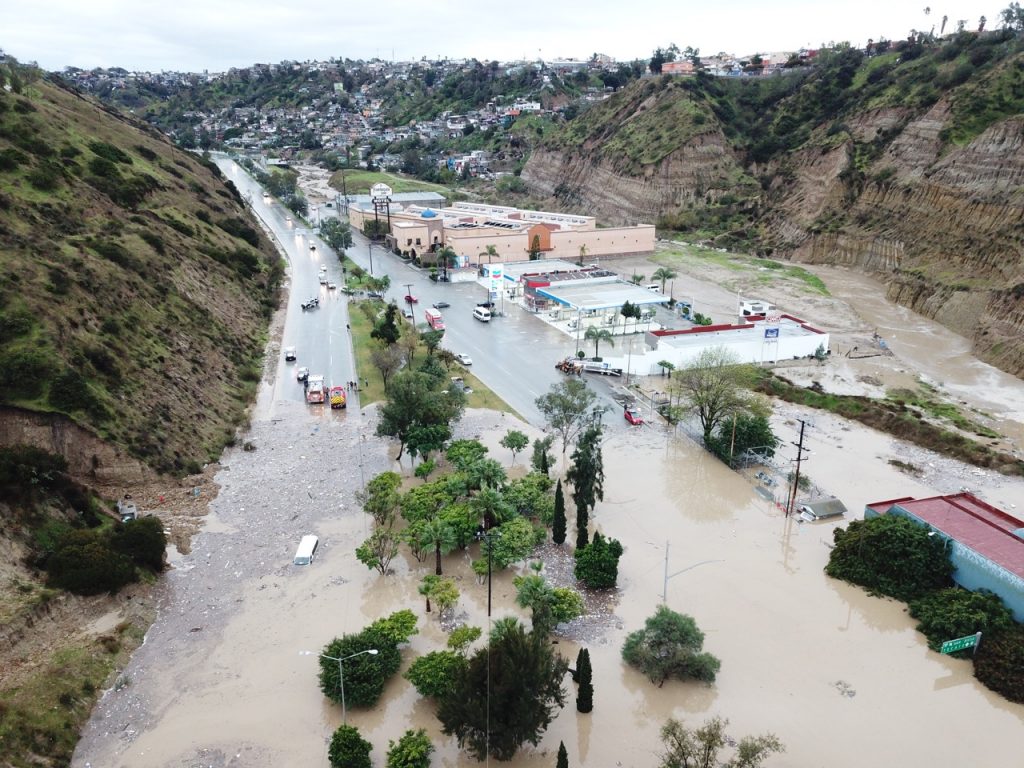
(471, 228)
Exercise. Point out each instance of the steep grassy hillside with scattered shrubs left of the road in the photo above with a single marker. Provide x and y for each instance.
(135, 288)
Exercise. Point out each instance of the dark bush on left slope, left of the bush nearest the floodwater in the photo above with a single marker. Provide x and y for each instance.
(86, 564)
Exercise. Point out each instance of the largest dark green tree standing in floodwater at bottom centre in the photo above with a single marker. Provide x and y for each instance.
(507, 696)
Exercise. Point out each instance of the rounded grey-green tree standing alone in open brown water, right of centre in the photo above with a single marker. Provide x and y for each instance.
(670, 646)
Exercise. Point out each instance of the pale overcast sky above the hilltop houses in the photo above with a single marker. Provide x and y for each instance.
(216, 35)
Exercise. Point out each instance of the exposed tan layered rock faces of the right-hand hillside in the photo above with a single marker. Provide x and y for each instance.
(882, 191)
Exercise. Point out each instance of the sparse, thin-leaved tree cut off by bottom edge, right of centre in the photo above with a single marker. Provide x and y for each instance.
(699, 748)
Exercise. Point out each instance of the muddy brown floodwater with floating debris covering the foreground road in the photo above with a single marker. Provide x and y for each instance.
(221, 680)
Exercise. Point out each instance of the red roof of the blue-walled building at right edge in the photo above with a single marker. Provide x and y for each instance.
(988, 530)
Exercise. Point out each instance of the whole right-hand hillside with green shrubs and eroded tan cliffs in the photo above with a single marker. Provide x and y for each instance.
(906, 162)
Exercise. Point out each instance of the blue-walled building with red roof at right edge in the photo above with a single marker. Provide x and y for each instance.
(987, 543)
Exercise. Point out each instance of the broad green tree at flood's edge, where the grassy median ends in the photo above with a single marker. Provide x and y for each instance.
(413, 402)
